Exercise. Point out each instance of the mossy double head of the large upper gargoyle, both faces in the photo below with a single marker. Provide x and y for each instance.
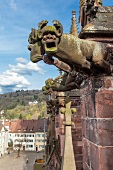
(44, 40)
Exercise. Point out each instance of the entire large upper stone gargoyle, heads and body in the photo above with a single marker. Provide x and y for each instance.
(85, 55)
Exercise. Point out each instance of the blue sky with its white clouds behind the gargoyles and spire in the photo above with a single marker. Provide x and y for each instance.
(17, 17)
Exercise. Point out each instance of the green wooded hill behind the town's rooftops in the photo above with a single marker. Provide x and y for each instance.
(16, 104)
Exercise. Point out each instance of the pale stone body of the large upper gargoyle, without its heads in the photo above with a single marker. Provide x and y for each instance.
(81, 53)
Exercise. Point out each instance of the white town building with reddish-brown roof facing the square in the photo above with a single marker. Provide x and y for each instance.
(29, 135)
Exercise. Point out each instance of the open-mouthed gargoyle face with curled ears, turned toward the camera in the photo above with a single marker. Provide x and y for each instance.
(50, 36)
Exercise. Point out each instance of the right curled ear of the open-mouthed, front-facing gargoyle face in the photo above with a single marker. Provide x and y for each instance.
(58, 27)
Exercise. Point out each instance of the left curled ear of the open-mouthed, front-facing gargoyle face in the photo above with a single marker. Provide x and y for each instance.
(41, 25)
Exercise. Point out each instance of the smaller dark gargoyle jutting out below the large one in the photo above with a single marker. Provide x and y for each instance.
(65, 82)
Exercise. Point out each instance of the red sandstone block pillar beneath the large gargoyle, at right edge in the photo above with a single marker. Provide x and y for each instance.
(97, 123)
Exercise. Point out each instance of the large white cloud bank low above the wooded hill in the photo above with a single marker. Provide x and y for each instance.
(14, 78)
